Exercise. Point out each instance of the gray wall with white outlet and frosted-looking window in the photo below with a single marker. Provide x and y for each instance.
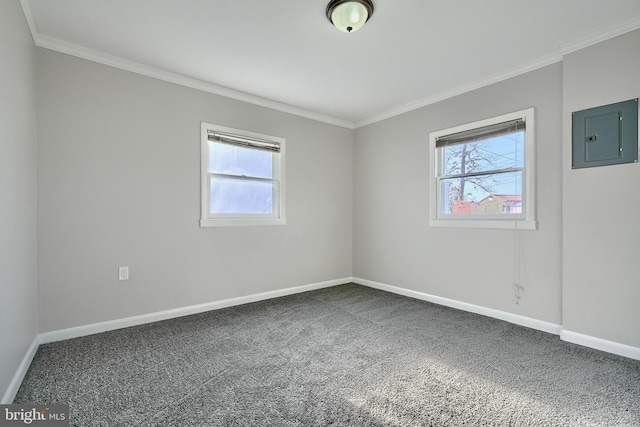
(119, 185)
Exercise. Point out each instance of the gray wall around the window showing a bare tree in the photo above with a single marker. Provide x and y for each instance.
(392, 241)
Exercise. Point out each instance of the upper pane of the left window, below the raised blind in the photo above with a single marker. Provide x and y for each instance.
(241, 161)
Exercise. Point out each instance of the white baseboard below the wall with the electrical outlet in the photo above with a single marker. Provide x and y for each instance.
(111, 325)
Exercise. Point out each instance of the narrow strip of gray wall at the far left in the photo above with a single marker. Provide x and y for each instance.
(18, 251)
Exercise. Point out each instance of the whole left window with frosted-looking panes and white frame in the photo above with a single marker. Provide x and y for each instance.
(242, 177)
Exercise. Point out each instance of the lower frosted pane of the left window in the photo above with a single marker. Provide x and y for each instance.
(241, 196)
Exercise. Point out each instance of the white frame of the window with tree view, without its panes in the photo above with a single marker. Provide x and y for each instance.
(524, 221)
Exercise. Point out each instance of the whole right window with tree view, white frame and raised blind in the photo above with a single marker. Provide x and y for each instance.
(484, 174)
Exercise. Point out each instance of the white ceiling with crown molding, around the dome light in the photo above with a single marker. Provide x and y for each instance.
(286, 55)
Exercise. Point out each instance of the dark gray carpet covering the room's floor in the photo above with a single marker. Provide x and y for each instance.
(342, 356)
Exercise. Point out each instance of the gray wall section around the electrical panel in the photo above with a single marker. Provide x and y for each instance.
(601, 226)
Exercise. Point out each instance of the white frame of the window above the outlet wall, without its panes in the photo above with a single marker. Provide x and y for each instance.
(208, 219)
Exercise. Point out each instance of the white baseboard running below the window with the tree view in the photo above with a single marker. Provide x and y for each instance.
(517, 319)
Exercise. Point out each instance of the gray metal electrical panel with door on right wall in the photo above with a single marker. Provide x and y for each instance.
(606, 135)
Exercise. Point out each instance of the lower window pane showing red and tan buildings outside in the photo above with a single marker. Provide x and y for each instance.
(499, 193)
